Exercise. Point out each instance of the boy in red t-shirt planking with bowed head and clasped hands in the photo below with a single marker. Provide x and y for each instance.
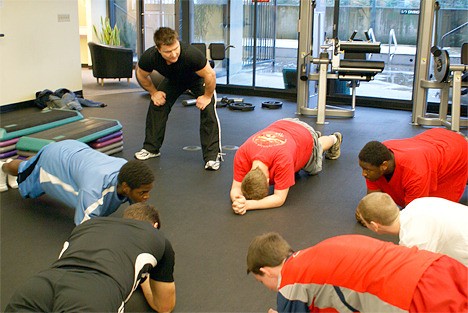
(272, 156)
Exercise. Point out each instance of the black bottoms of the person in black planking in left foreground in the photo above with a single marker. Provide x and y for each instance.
(67, 290)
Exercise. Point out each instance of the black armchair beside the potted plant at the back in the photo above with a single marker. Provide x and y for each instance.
(111, 62)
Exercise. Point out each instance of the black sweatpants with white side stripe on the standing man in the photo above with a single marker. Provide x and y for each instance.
(157, 116)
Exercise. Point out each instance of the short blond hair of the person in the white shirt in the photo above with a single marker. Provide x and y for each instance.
(378, 207)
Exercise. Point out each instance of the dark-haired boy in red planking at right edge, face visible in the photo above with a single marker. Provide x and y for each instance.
(431, 164)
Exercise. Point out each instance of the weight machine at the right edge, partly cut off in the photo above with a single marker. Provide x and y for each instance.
(447, 76)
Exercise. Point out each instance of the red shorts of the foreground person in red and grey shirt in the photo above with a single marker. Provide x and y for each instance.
(443, 287)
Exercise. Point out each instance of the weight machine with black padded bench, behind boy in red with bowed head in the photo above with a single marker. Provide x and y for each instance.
(341, 60)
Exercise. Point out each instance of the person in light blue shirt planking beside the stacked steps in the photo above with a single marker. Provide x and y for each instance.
(91, 182)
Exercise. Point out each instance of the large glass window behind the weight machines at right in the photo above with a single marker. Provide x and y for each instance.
(394, 23)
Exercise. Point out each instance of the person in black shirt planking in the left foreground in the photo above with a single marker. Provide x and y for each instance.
(101, 264)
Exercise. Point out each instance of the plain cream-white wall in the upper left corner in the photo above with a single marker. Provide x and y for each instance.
(38, 51)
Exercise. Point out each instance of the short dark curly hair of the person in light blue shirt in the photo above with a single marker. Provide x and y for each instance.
(135, 173)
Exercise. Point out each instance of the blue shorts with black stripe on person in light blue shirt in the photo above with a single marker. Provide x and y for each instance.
(28, 177)
